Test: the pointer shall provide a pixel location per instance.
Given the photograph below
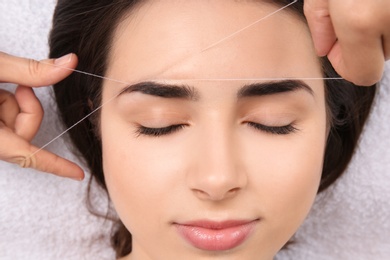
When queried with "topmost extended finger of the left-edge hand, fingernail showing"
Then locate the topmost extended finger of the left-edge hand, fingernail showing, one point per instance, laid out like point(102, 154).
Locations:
point(33, 73)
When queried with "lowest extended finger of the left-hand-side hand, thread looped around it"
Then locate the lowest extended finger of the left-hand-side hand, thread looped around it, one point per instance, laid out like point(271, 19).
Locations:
point(15, 149)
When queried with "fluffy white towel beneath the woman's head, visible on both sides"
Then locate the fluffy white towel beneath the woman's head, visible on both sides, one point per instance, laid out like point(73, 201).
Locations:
point(45, 217)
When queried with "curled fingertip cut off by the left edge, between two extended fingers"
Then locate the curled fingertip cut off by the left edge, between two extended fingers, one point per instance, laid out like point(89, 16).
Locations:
point(9, 108)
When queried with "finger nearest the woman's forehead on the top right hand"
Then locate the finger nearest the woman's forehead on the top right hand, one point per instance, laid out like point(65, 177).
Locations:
point(320, 24)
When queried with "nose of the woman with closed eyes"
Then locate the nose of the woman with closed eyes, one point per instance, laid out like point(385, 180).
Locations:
point(217, 174)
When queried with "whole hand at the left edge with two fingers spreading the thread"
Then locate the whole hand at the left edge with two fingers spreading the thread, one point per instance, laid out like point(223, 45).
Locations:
point(21, 114)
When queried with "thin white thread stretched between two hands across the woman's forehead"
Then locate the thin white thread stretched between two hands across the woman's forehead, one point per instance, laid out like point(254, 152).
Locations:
point(199, 79)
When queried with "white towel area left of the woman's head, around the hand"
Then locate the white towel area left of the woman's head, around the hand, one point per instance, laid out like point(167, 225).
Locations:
point(43, 216)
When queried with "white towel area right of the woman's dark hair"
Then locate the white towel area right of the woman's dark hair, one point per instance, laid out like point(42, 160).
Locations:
point(351, 219)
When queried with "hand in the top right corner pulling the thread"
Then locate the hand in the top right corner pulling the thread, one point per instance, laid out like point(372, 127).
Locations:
point(354, 34)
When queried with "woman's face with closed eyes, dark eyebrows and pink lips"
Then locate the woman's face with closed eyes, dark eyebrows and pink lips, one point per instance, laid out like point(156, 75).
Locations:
point(212, 169)
